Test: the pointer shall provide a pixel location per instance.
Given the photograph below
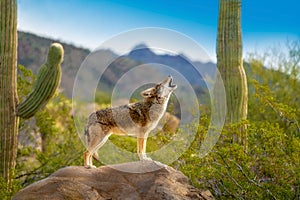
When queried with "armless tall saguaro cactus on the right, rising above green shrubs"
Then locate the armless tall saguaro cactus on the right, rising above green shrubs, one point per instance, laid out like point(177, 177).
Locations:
point(229, 60)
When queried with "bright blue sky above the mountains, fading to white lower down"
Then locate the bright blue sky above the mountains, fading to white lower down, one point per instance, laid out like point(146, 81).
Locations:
point(89, 23)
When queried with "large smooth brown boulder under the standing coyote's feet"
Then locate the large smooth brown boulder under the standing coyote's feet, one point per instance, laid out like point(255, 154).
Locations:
point(109, 182)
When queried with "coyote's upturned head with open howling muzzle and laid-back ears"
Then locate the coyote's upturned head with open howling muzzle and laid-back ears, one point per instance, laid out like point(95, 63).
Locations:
point(161, 92)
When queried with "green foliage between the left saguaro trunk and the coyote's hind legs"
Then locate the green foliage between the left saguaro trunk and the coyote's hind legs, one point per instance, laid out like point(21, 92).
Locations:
point(60, 145)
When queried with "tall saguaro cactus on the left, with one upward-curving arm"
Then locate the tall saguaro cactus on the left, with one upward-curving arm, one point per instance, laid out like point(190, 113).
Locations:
point(44, 88)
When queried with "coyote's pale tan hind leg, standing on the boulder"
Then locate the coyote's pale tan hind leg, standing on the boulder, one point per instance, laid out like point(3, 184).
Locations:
point(96, 138)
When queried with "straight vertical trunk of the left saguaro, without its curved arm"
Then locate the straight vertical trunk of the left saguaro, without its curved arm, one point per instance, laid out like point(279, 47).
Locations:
point(8, 87)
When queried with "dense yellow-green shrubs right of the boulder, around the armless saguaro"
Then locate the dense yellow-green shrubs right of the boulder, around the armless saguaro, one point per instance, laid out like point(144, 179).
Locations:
point(269, 167)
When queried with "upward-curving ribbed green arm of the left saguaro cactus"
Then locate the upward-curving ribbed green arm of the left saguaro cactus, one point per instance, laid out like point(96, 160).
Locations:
point(46, 84)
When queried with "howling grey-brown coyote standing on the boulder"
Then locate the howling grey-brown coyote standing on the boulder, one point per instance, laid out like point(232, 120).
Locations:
point(134, 119)
